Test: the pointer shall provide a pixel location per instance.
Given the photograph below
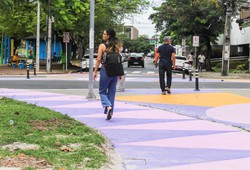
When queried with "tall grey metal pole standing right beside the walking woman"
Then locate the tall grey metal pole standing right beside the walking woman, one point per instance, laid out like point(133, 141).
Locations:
point(91, 94)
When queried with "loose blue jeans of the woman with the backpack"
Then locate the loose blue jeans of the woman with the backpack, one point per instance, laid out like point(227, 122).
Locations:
point(107, 88)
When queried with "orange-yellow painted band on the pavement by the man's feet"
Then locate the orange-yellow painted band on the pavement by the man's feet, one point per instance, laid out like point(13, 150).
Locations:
point(194, 99)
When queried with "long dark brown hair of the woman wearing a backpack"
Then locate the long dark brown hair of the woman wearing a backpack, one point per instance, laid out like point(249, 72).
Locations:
point(113, 43)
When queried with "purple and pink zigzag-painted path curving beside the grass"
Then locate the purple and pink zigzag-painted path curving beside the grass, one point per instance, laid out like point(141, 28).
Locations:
point(150, 138)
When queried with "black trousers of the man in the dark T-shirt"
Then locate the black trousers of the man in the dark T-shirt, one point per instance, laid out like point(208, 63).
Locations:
point(165, 68)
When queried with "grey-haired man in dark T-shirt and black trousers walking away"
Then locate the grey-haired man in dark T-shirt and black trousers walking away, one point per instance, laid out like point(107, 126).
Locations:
point(166, 54)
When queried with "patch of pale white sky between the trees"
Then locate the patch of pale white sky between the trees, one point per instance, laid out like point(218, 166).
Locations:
point(141, 21)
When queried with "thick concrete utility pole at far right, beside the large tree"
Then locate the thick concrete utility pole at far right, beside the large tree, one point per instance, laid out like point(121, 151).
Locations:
point(226, 44)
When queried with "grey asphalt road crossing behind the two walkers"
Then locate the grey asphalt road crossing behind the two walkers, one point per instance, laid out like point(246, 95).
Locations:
point(137, 78)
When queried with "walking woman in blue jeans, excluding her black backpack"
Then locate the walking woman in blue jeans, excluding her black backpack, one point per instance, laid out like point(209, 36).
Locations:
point(107, 85)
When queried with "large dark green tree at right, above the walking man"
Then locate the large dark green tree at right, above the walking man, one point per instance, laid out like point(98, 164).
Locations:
point(186, 18)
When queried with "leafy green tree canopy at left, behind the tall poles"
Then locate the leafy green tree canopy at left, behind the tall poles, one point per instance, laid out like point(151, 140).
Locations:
point(70, 15)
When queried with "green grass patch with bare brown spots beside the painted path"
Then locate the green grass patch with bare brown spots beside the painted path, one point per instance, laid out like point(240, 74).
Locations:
point(62, 141)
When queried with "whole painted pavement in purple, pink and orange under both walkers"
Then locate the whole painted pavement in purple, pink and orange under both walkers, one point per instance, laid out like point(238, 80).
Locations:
point(151, 131)
